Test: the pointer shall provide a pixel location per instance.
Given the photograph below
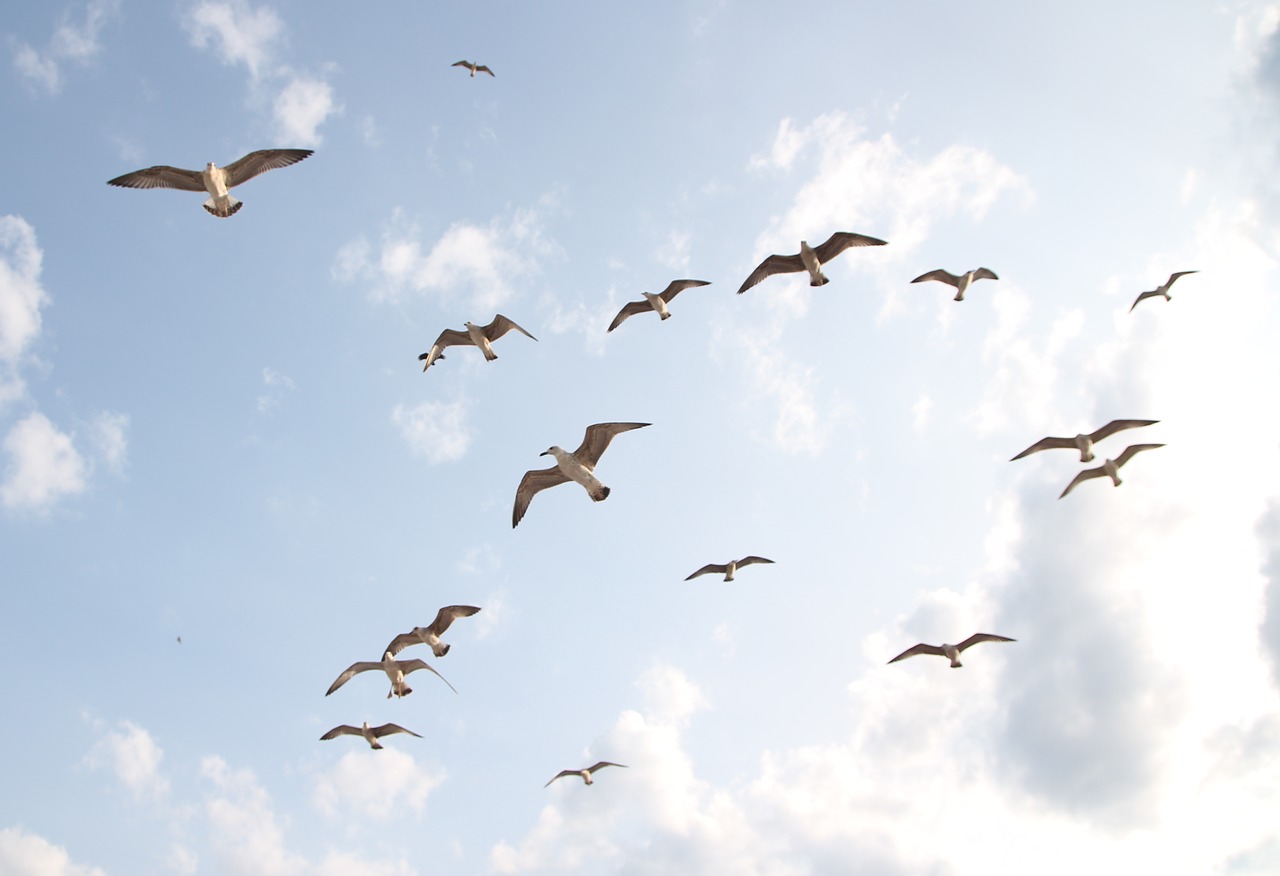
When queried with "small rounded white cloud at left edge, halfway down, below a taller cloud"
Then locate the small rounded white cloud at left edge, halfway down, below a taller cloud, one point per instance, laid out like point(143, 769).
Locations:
point(44, 466)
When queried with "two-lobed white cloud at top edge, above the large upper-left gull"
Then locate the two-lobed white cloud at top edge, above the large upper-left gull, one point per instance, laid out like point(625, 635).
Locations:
point(253, 36)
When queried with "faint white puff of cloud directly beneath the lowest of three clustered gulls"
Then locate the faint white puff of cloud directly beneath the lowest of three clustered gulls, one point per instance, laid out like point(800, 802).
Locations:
point(374, 784)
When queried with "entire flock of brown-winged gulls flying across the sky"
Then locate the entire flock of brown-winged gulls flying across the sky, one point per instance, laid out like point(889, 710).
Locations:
point(579, 467)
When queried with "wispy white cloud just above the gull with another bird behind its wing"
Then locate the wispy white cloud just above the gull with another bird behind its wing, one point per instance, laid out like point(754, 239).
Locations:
point(478, 266)
